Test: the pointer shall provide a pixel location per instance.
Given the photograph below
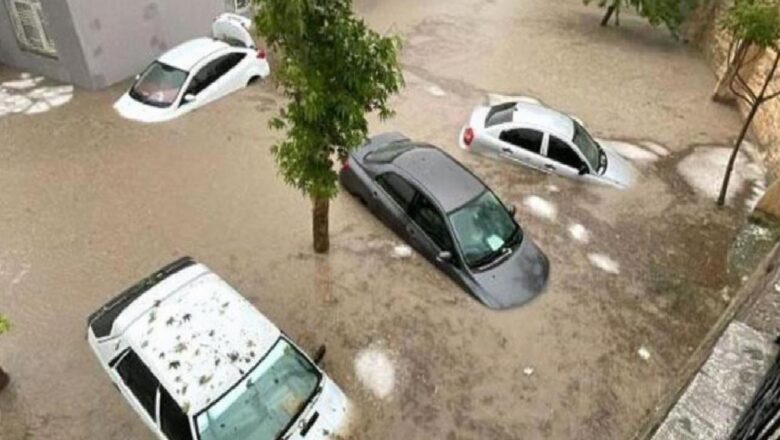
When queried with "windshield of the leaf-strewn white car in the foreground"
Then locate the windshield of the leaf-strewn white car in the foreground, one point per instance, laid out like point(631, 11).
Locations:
point(266, 402)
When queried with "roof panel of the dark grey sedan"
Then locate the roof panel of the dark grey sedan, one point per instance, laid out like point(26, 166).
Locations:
point(440, 175)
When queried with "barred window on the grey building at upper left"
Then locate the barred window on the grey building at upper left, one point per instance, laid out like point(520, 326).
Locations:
point(31, 26)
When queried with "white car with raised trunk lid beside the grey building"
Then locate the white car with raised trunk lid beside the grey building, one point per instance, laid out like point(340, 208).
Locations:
point(195, 73)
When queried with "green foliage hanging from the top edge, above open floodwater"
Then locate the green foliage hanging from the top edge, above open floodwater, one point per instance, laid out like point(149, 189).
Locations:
point(670, 13)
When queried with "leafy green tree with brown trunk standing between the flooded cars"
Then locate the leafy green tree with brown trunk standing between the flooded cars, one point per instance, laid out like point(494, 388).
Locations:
point(333, 69)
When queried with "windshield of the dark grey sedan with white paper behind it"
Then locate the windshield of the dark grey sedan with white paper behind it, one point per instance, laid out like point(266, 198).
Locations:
point(484, 228)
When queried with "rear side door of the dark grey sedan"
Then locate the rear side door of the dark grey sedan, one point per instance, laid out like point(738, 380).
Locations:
point(390, 200)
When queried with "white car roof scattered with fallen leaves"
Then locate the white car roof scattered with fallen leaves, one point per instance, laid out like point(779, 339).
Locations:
point(201, 340)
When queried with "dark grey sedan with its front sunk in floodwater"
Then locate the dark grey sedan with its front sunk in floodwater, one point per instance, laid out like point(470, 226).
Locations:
point(449, 216)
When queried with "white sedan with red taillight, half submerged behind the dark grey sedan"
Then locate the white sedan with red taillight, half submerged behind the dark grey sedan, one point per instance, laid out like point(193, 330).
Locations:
point(544, 139)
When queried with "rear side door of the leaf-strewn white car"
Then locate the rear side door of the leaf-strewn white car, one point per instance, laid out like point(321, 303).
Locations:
point(140, 387)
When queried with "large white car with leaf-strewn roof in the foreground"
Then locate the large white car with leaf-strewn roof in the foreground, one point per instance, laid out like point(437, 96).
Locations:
point(198, 362)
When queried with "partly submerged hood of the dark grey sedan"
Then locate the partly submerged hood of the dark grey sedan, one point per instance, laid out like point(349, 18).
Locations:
point(516, 280)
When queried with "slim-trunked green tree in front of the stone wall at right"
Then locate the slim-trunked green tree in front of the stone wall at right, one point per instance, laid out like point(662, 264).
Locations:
point(751, 24)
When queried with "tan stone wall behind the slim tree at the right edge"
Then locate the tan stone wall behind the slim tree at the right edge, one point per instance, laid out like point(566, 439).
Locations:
point(704, 30)
